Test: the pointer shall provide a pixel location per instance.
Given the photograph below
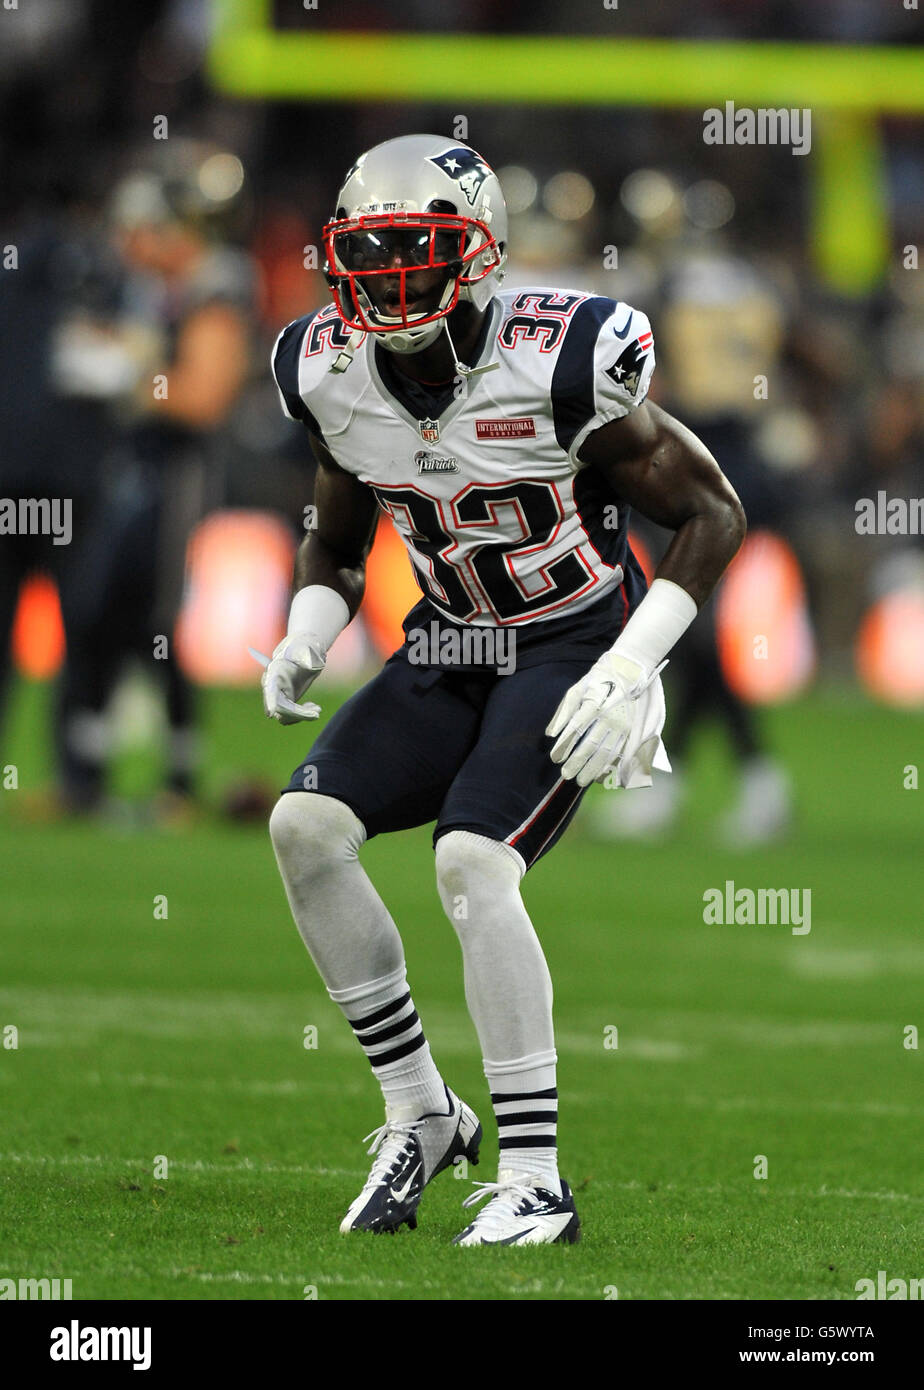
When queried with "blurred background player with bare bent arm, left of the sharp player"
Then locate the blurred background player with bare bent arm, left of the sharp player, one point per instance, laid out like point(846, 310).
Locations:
point(188, 313)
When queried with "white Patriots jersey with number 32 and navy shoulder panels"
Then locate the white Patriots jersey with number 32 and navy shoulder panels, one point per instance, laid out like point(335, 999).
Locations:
point(502, 522)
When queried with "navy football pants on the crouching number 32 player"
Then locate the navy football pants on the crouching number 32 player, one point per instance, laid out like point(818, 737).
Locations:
point(468, 751)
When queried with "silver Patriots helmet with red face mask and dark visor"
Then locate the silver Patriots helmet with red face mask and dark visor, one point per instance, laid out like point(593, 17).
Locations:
point(420, 226)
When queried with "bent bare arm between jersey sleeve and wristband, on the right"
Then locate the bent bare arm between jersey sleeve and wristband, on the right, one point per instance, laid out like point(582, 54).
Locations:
point(661, 469)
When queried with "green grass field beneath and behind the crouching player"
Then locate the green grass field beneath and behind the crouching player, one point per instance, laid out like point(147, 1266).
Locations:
point(184, 1038)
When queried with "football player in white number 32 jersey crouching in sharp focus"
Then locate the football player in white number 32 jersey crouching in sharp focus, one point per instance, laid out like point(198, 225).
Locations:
point(506, 436)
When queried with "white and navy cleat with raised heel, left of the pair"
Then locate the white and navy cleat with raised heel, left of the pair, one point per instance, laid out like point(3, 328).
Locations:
point(408, 1156)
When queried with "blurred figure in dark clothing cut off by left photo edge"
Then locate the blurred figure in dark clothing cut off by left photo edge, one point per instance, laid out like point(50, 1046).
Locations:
point(62, 366)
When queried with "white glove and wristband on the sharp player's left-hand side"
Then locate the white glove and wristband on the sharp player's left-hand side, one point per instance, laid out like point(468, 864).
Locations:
point(316, 619)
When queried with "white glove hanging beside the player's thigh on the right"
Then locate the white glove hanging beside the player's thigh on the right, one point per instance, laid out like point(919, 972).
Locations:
point(597, 719)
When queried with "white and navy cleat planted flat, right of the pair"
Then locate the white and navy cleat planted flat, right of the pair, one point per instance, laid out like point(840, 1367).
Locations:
point(522, 1213)
